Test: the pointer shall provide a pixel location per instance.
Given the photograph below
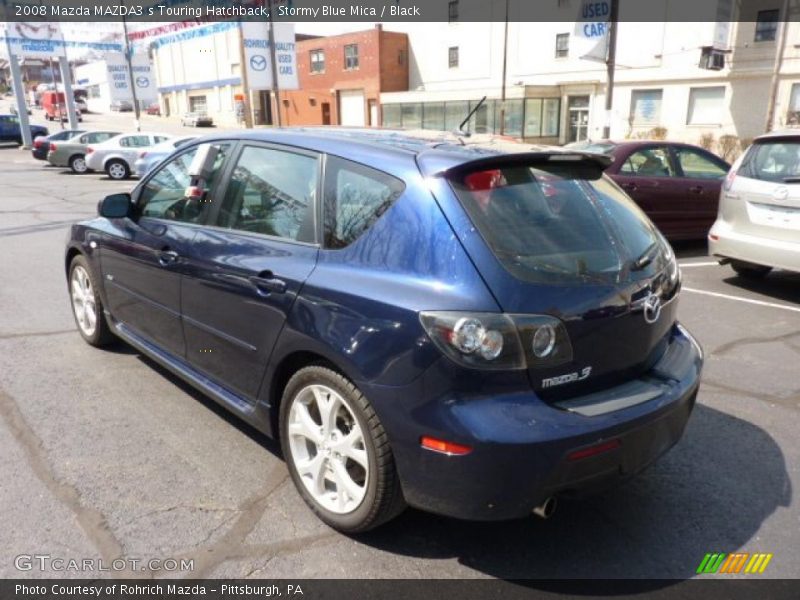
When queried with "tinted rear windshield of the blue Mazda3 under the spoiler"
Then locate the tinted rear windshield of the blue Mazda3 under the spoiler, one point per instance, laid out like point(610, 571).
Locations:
point(557, 223)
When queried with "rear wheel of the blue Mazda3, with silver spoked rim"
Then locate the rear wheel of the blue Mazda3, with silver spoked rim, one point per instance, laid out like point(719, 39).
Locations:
point(370, 495)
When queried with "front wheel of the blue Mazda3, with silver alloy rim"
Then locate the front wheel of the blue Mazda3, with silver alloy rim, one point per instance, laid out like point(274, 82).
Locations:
point(85, 298)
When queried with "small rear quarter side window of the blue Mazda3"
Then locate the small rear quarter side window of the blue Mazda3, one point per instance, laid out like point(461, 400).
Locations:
point(355, 197)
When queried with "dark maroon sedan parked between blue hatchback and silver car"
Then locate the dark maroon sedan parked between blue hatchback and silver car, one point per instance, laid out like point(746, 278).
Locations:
point(677, 185)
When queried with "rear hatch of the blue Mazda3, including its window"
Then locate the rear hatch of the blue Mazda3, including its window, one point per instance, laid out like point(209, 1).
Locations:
point(553, 236)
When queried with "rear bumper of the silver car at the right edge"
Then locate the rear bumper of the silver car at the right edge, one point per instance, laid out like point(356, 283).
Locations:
point(759, 250)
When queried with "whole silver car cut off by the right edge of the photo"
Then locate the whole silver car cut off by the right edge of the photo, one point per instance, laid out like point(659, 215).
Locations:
point(759, 211)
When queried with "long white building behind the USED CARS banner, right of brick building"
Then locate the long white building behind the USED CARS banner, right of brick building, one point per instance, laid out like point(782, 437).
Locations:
point(553, 96)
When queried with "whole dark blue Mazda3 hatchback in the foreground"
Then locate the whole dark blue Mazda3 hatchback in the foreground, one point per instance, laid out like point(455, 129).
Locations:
point(462, 328)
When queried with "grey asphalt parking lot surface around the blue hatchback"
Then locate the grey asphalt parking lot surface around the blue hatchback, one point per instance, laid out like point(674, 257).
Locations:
point(105, 455)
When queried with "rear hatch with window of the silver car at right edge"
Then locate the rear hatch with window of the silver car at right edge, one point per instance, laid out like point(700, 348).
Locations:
point(764, 194)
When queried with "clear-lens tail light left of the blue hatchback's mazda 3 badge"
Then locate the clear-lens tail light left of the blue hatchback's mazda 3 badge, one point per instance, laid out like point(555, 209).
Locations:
point(498, 341)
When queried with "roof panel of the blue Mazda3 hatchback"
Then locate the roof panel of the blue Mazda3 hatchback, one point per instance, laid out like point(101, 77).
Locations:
point(438, 150)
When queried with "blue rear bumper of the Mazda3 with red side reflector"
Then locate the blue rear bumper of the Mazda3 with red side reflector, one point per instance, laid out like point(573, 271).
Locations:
point(521, 446)
